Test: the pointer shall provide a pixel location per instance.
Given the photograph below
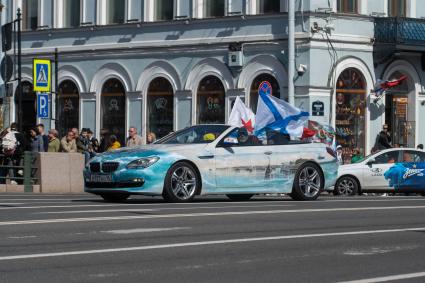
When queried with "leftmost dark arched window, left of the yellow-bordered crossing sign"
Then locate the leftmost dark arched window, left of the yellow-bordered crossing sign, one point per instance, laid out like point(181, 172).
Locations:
point(28, 119)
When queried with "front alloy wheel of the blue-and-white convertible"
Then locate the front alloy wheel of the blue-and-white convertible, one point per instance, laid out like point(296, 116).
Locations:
point(181, 183)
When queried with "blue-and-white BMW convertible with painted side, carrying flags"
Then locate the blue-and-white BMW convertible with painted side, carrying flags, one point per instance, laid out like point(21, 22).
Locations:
point(213, 159)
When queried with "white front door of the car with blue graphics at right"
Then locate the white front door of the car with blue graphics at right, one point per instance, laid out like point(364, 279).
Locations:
point(373, 173)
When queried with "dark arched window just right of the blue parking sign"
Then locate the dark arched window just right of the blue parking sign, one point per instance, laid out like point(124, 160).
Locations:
point(67, 107)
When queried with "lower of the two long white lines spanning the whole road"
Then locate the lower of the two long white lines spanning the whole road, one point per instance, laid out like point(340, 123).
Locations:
point(206, 243)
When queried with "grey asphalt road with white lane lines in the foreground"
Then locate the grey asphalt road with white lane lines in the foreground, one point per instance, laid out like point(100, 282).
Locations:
point(79, 238)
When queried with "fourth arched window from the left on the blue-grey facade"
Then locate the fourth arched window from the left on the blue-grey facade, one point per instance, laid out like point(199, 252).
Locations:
point(160, 107)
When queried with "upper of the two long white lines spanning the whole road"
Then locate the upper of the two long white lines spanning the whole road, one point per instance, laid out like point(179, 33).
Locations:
point(200, 214)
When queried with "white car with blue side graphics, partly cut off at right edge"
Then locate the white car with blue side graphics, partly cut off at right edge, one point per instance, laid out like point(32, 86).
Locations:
point(399, 170)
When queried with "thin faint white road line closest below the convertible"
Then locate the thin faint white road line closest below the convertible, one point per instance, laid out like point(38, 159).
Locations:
point(157, 209)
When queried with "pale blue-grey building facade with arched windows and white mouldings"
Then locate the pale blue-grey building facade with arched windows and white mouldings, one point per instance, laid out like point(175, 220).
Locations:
point(166, 64)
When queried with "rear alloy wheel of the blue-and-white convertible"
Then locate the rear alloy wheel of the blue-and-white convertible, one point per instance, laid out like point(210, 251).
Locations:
point(308, 183)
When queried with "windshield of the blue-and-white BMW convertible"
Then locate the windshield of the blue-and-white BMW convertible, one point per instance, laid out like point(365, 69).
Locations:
point(194, 135)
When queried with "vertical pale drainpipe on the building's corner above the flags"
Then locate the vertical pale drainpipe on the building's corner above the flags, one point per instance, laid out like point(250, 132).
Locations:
point(291, 51)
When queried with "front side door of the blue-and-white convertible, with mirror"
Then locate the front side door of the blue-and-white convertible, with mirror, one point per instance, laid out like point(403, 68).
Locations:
point(240, 165)
